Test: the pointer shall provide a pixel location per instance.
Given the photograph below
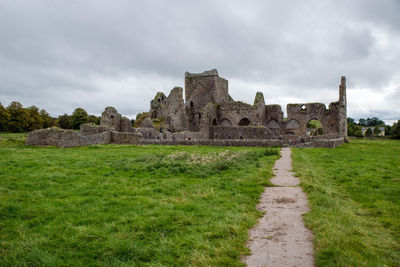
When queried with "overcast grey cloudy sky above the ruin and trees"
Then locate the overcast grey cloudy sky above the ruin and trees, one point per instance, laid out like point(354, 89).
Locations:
point(59, 55)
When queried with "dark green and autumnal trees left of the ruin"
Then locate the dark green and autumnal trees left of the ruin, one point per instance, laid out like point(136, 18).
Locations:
point(15, 118)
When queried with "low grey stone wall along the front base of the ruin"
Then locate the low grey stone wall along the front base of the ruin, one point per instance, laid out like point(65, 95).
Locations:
point(70, 138)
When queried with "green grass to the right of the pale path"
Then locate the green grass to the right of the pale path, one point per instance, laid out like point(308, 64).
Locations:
point(354, 193)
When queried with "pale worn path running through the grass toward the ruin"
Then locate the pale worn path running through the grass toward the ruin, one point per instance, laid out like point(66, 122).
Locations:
point(280, 237)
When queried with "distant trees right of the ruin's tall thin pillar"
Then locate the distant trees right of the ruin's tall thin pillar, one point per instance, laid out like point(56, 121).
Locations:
point(355, 129)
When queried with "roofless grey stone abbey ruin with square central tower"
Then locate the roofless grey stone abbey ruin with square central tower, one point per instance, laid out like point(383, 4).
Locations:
point(207, 115)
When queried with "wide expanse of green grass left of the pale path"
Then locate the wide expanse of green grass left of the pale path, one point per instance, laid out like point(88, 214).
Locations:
point(114, 205)
